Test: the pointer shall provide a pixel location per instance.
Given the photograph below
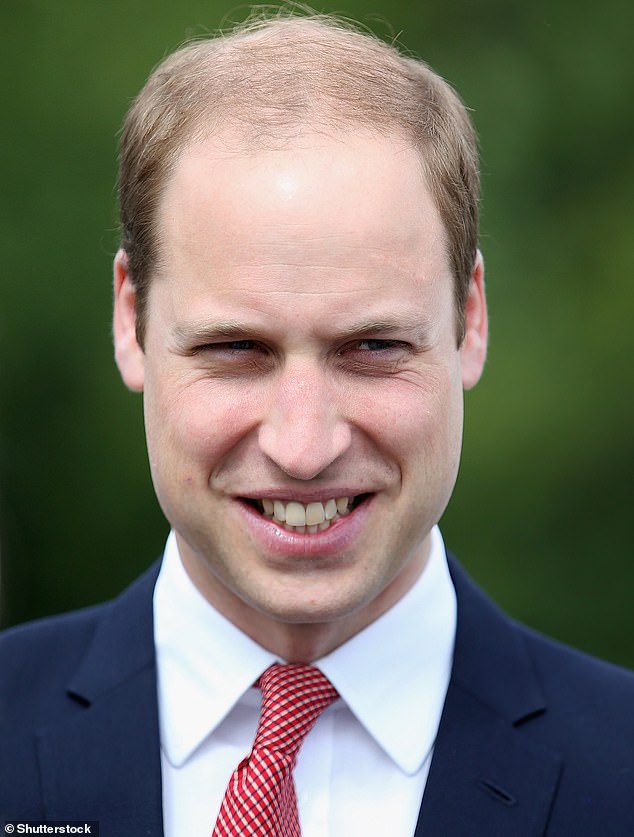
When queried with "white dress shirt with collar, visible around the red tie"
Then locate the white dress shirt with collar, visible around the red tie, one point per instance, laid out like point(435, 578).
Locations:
point(362, 769)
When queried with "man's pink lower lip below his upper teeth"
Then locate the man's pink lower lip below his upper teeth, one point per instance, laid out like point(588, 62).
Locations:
point(329, 543)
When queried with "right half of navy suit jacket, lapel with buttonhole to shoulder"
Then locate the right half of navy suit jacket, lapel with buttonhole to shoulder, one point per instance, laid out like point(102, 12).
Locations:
point(524, 699)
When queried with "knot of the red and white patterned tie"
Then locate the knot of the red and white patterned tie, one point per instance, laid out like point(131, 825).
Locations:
point(293, 697)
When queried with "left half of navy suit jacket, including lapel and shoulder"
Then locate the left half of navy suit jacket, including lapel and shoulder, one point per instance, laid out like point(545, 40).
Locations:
point(77, 692)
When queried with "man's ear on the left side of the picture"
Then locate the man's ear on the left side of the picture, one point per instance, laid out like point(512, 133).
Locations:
point(128, 354)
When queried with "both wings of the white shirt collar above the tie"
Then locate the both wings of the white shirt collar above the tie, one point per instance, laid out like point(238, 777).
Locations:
point(205, 664)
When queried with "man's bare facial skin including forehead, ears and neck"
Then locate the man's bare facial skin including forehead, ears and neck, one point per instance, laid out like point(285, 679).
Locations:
point(301, 346)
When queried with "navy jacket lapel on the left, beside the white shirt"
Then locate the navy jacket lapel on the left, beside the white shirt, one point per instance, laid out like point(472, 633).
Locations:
point(107, 752)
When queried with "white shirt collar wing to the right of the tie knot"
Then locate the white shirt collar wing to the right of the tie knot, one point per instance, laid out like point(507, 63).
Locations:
point(394, 674)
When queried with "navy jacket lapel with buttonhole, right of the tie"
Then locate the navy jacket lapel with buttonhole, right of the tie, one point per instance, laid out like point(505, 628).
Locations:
point(486, 776)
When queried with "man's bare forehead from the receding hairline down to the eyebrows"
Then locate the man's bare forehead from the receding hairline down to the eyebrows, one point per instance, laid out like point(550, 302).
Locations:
point(348, 214)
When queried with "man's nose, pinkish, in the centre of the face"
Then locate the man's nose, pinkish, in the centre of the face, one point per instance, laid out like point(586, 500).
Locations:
point(303, 430)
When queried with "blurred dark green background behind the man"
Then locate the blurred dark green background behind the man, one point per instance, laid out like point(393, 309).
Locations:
point(543, 512)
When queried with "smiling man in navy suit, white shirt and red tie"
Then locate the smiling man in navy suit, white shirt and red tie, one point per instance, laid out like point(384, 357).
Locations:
point(300, 298)
